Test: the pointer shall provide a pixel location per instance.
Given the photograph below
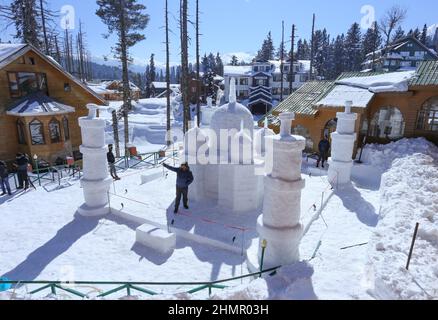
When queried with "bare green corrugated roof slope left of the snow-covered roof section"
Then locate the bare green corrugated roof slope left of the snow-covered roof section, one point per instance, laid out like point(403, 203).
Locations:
point(303, 100)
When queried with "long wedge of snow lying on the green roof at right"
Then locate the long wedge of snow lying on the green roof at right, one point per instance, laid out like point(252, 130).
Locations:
point(388, 82)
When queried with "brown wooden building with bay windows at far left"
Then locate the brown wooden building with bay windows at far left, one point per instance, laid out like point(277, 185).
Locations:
point(40, 104)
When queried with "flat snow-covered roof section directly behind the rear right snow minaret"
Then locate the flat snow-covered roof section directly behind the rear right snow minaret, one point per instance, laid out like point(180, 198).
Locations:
point(341, 93)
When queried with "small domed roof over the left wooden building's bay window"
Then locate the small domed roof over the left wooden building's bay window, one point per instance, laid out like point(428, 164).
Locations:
point(38, 104)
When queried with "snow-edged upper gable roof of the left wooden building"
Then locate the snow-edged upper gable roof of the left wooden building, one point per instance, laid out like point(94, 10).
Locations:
point(11, 52)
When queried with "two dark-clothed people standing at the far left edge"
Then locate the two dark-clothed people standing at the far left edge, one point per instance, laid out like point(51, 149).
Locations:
point(21, 165)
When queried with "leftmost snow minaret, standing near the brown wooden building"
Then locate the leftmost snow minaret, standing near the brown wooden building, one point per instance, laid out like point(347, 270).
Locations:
point(95, 181)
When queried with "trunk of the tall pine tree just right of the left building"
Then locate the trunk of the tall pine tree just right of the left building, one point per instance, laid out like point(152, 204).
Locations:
point(125, 76)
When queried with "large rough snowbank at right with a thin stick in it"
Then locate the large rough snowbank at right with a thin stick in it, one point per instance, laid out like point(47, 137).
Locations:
point(408, 195)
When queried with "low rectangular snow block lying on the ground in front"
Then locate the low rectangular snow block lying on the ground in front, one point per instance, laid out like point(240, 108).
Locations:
point(156, 238)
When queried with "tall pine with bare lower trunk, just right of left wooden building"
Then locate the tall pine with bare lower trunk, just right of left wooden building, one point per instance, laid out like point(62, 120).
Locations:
point(124, 18)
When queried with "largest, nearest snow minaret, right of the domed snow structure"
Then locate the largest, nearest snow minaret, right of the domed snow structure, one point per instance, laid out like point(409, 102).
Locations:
point(280, 224)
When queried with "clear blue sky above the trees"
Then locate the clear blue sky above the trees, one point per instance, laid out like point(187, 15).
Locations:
point(239, 26)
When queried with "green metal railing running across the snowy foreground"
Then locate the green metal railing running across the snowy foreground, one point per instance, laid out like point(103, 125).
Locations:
point(54, 286)
